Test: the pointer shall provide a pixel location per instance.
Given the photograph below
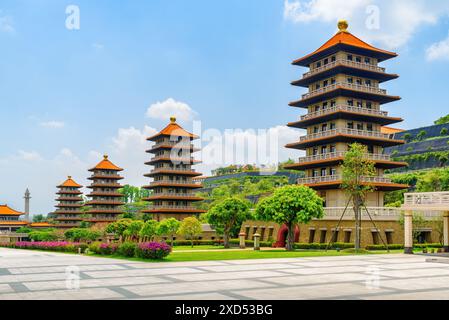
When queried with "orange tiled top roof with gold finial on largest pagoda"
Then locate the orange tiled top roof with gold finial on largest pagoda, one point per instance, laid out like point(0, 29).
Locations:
point(345, 37)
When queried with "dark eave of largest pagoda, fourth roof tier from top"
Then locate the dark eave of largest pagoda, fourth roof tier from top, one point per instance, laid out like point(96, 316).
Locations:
point(382, 120)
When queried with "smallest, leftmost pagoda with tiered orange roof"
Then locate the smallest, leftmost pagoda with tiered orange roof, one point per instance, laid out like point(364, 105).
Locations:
point(70, 202)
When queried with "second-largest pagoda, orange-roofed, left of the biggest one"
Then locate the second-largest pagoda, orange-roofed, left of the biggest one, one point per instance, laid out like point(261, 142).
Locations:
point(173, 186)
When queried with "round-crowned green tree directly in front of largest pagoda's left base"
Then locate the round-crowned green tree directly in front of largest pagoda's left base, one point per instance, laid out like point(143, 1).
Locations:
point(291, 205)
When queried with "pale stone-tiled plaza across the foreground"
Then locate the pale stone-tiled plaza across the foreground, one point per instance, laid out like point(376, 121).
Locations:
point(41, 275)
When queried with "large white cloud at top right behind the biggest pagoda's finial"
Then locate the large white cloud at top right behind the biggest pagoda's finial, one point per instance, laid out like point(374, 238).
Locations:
point(398, 20)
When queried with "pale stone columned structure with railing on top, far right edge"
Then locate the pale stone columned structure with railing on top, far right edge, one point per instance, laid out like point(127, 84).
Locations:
point(431, 204)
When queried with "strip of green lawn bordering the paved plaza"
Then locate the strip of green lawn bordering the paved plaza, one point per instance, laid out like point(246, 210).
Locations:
point(241, 255)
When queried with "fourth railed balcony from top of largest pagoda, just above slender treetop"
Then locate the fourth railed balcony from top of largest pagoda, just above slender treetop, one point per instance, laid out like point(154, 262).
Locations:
point(346, 135)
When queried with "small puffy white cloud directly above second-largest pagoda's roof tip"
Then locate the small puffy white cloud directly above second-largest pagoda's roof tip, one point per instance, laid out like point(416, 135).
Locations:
point(170, 107)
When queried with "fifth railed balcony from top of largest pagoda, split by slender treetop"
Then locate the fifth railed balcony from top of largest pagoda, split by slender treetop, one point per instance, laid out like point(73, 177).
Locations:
point(331, 158)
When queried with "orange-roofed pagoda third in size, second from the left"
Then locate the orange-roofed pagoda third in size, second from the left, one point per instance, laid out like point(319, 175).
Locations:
point(106, 202)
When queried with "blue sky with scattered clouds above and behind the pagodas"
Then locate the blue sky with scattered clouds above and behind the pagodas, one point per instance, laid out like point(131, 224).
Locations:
point(68, 96)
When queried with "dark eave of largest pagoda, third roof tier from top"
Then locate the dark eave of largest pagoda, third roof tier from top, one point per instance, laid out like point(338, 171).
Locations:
point(346, 92)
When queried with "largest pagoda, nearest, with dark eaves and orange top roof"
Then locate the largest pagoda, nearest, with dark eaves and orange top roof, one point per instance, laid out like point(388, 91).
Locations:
point(343, 106)
